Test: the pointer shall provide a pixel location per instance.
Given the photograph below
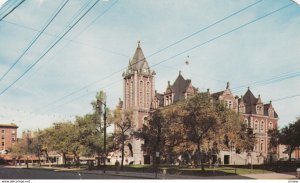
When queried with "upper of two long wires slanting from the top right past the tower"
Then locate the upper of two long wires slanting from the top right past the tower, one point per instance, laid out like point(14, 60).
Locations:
point(118, 71)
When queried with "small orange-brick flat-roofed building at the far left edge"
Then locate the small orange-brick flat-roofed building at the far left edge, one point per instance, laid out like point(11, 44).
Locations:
point(8, 134)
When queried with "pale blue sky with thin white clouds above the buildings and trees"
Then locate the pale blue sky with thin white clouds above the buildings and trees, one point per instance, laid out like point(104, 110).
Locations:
point(263, 55)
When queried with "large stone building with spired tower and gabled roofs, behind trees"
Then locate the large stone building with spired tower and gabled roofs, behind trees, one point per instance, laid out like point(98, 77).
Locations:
point(140, 95)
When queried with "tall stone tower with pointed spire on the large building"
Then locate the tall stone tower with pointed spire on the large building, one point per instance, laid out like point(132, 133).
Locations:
point(138, 94)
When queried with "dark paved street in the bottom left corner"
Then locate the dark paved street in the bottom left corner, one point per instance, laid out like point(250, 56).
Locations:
point(21, 173)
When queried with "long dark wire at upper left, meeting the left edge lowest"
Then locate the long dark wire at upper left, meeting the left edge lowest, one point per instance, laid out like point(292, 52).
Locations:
point(55, 42)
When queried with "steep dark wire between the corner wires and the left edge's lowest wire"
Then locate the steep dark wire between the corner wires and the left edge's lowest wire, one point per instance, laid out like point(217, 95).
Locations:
point(61, 6)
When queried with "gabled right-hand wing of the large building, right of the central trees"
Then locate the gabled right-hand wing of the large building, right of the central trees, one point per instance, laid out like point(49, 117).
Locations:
point(259, 116)
